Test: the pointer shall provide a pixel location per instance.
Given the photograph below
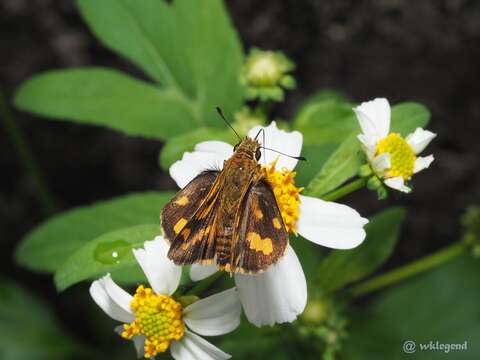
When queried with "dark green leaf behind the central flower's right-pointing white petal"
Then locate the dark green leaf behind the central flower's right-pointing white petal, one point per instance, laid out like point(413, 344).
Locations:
point(342, 267)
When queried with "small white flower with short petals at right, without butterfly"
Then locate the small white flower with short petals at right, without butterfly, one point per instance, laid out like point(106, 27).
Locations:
point(392, 158)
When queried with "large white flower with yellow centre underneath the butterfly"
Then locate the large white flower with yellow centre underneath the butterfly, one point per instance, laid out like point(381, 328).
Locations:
point(279, 294)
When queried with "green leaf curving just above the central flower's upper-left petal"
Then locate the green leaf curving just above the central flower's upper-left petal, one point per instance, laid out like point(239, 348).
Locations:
point(176, 146)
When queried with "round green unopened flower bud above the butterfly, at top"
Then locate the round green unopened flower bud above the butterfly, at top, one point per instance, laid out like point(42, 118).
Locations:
point(266, 75)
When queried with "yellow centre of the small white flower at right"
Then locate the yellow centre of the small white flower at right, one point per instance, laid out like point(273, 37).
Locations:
point(402, 156)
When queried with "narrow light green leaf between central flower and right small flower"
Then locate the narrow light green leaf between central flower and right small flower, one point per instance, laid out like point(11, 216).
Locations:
point(340, 166)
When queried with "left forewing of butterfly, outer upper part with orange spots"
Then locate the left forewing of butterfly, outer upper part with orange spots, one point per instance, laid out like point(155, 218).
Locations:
point(178, 211)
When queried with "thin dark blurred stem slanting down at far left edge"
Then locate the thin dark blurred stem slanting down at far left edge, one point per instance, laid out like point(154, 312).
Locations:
point(25, 155)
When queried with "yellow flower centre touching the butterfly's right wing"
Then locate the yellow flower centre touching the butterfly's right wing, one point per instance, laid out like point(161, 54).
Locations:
point(286, 194)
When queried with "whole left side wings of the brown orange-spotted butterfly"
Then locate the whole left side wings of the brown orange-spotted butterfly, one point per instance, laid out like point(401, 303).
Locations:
point(188, 220)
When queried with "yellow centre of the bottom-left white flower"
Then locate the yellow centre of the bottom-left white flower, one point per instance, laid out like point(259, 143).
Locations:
point(158, 318)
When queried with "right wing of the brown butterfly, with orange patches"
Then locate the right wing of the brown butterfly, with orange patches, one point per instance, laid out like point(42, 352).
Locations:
point(260, 236)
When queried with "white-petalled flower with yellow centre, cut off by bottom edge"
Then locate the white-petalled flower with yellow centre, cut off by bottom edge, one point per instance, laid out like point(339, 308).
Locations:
point(156, 321)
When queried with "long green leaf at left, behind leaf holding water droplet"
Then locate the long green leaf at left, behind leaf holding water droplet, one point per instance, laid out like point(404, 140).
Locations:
point(50, 244)
